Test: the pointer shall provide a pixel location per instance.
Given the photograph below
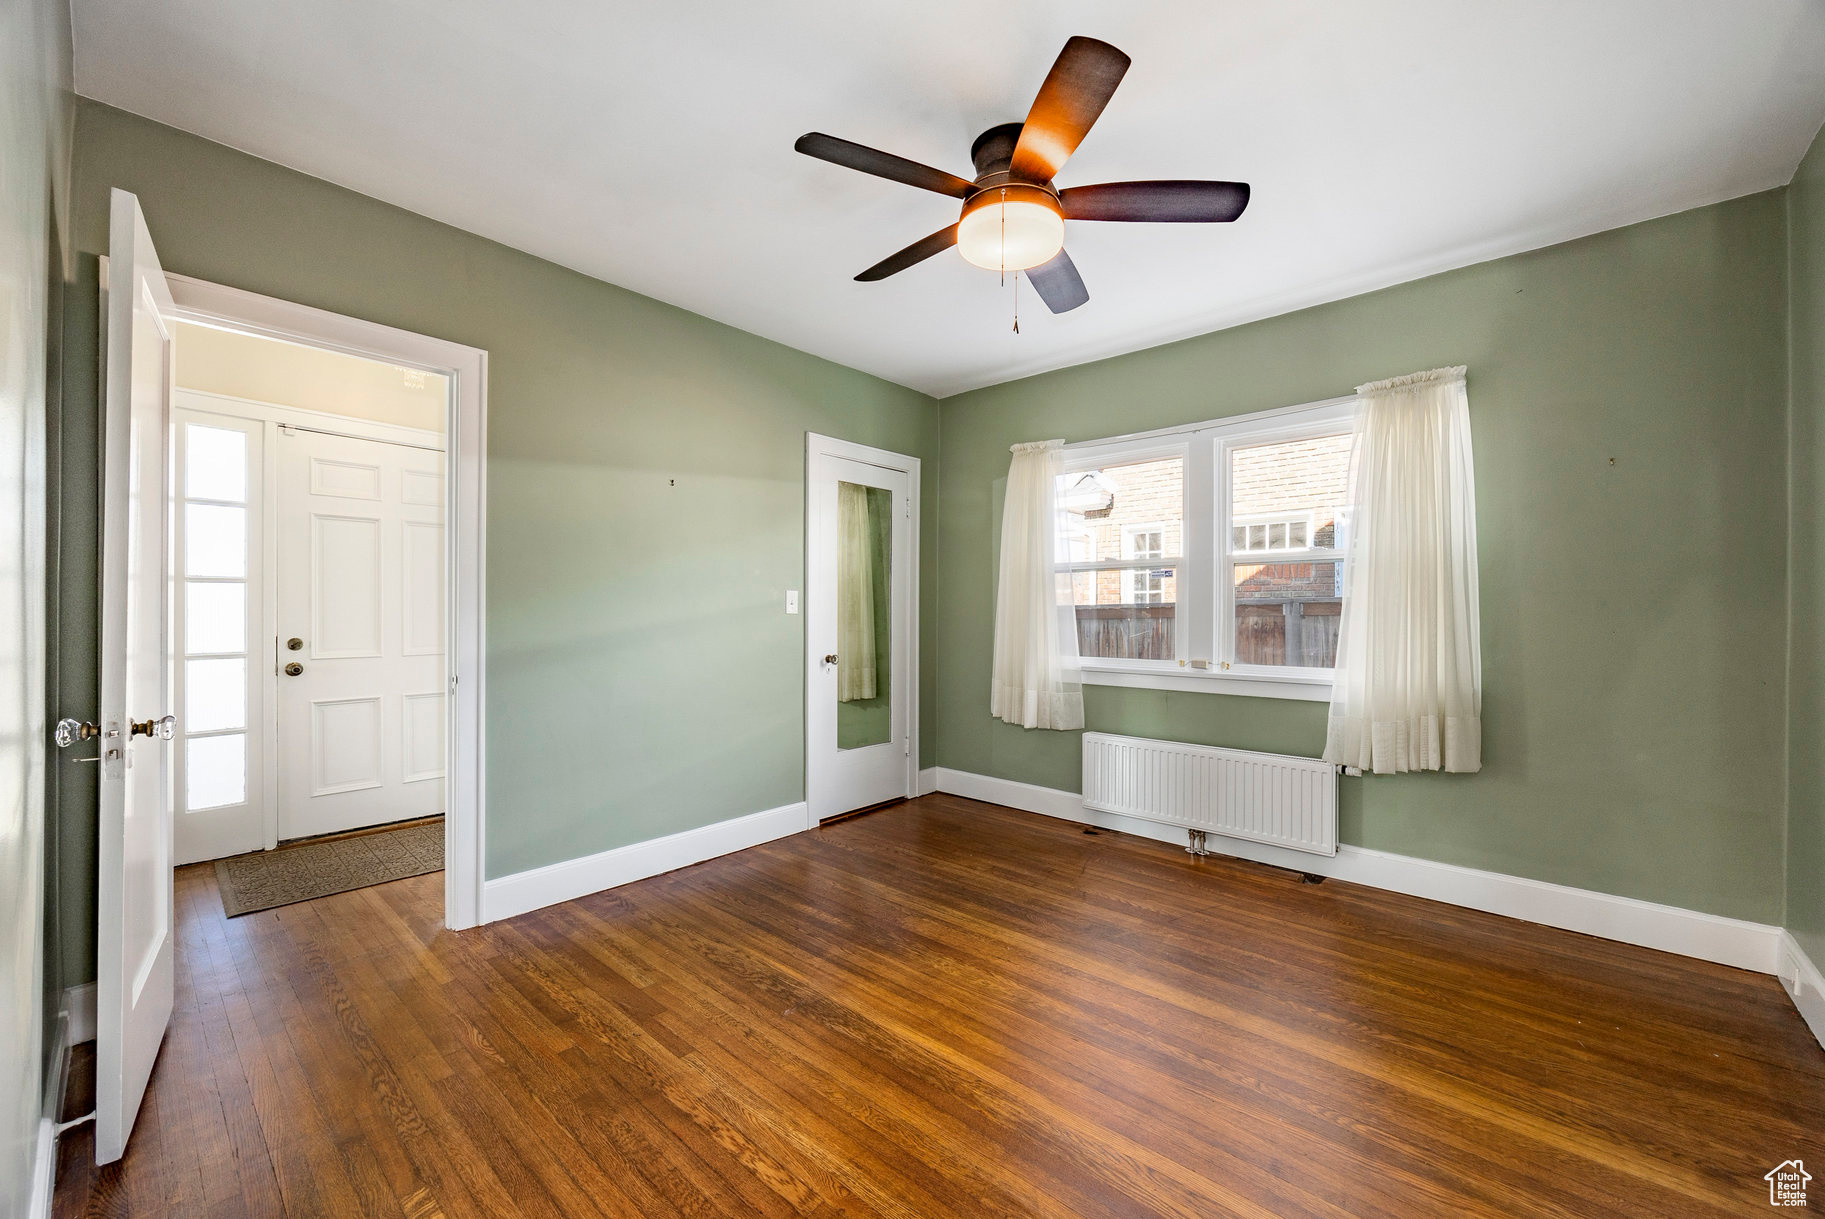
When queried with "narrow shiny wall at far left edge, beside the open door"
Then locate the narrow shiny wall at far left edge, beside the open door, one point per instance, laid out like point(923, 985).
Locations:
point(34, 242)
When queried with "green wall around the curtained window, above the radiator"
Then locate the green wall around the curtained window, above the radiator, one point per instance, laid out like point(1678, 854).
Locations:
point(1634, 614)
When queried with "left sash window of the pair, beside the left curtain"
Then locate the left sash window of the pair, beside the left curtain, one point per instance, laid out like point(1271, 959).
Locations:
point(1123, 537)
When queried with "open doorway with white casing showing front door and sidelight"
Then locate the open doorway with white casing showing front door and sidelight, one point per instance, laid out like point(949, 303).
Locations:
point(335, 683)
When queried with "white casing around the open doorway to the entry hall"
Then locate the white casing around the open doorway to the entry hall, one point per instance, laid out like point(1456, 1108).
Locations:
point(466, 510)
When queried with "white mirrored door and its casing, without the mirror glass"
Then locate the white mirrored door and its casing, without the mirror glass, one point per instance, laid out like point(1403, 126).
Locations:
point(839, 780)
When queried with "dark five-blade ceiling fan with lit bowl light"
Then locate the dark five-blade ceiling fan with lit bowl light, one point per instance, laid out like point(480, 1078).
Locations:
point(1014, 214)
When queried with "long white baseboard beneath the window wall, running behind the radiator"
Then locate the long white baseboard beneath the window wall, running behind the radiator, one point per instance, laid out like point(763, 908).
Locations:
point(1629, 921)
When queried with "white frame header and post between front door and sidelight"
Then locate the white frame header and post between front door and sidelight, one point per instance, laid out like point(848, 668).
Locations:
point(275, 417)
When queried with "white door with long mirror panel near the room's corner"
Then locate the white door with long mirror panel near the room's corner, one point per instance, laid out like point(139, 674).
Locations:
point(859, 621)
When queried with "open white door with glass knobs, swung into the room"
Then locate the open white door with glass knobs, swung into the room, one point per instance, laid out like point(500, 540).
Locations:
point(134, 935)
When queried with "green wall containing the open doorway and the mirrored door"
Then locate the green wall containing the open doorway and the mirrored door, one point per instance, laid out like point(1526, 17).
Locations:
point(645, 497)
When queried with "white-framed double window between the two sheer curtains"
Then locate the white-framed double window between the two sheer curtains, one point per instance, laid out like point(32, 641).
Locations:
point(1213, 557)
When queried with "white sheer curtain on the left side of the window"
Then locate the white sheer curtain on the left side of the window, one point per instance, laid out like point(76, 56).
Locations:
point(1036, 676)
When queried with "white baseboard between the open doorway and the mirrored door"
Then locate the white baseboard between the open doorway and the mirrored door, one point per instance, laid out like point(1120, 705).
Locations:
point(576, 879)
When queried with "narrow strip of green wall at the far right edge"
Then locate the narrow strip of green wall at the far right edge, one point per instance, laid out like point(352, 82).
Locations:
point(1806, 716)
